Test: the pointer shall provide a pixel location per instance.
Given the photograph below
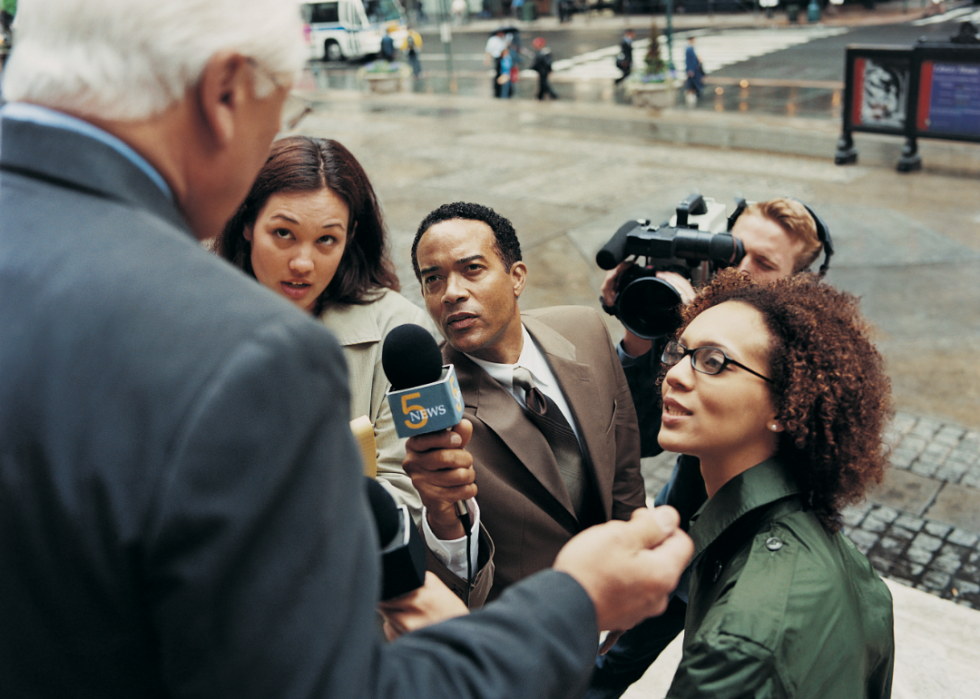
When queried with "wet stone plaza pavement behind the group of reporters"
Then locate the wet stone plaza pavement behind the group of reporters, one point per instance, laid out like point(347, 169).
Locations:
point(568, 175)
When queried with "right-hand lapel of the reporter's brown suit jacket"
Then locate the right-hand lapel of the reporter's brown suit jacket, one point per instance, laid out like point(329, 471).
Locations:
point(587, 405)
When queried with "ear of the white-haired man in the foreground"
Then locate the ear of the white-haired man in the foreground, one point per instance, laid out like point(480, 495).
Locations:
point(224, 87)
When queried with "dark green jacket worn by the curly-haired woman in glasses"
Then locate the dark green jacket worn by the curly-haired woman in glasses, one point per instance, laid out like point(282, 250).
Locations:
point(778, 606)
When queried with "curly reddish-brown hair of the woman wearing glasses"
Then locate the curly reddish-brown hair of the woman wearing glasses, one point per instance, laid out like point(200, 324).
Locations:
point(828, 384)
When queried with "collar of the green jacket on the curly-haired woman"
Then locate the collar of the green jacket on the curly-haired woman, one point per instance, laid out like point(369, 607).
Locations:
point(761, 485)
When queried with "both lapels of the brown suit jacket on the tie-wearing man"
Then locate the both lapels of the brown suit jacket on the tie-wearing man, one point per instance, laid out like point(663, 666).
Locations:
point(496, 408)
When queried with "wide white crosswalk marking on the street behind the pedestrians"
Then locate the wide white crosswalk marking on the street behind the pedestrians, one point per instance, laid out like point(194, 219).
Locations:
point(716, 50)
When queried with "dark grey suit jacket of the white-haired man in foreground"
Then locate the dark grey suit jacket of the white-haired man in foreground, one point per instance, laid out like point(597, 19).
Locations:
point(182, 511)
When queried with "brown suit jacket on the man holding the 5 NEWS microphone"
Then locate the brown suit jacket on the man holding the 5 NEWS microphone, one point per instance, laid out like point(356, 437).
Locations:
point(523, 501)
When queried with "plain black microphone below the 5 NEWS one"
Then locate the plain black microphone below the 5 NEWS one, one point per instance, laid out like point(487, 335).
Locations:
point(402, 549)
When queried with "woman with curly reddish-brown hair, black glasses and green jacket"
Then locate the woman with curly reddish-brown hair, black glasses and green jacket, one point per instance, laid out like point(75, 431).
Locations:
point(781, 394)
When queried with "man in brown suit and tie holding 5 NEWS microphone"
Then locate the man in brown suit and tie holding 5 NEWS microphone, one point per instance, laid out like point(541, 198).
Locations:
point(468, 261)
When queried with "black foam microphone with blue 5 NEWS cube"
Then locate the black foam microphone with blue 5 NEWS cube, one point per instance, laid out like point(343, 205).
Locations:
point(425, 395)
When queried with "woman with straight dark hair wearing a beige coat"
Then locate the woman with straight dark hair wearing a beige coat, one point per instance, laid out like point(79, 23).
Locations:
point(311, 230)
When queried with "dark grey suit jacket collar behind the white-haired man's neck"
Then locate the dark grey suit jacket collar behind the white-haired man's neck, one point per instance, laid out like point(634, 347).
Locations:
point(74, 160)
